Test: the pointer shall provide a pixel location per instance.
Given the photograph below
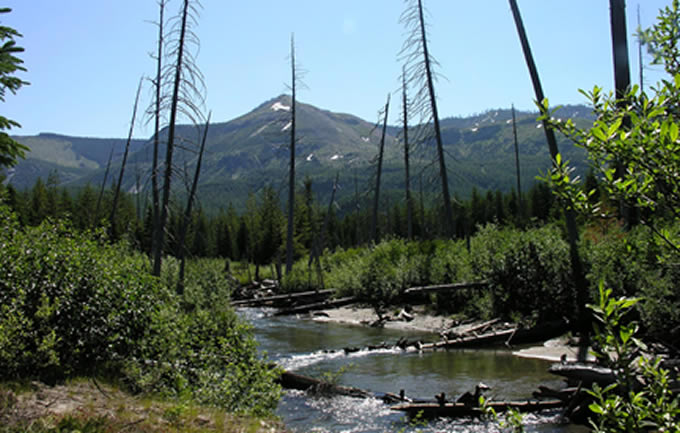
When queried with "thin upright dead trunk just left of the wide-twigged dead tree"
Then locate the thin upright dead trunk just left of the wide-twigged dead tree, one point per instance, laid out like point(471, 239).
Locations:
point(156, 136)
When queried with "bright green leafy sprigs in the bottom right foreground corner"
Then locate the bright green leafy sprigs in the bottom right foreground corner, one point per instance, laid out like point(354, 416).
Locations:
point(625, 406)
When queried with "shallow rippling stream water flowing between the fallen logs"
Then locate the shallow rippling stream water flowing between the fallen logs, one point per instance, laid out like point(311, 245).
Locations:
point(302, 346)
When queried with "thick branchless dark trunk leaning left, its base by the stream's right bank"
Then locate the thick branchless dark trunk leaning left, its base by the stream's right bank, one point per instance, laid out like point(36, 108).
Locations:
point(572, 231)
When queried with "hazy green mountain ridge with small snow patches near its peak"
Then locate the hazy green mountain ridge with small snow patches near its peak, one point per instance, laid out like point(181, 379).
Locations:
point(249, 152)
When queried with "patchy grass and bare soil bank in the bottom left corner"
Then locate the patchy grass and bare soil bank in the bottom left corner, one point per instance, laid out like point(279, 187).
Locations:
point(88, 405)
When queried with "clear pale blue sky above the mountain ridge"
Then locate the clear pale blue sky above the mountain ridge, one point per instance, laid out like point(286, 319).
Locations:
point(85, 57)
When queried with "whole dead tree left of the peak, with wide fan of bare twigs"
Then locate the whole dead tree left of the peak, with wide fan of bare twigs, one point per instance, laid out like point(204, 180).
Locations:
point(185, 83)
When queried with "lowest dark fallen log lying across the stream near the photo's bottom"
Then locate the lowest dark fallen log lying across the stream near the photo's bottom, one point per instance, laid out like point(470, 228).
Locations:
point(455, 410)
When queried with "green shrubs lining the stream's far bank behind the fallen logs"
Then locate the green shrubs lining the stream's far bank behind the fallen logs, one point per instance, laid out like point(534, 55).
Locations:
point(528, 272)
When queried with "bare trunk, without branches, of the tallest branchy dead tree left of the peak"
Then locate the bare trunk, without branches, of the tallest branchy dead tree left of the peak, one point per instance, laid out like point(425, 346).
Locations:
point(160, 232)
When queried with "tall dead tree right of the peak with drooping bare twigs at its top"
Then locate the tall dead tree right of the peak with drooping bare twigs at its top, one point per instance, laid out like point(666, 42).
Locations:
point(419, 72)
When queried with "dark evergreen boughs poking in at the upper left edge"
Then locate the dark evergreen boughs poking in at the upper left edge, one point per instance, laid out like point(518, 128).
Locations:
point(10, 64)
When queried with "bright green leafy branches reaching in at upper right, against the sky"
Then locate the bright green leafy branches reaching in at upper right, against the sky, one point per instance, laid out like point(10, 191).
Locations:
point(633, 144)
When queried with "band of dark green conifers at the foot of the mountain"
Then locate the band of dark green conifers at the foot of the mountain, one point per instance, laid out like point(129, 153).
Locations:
point(257, 233)
